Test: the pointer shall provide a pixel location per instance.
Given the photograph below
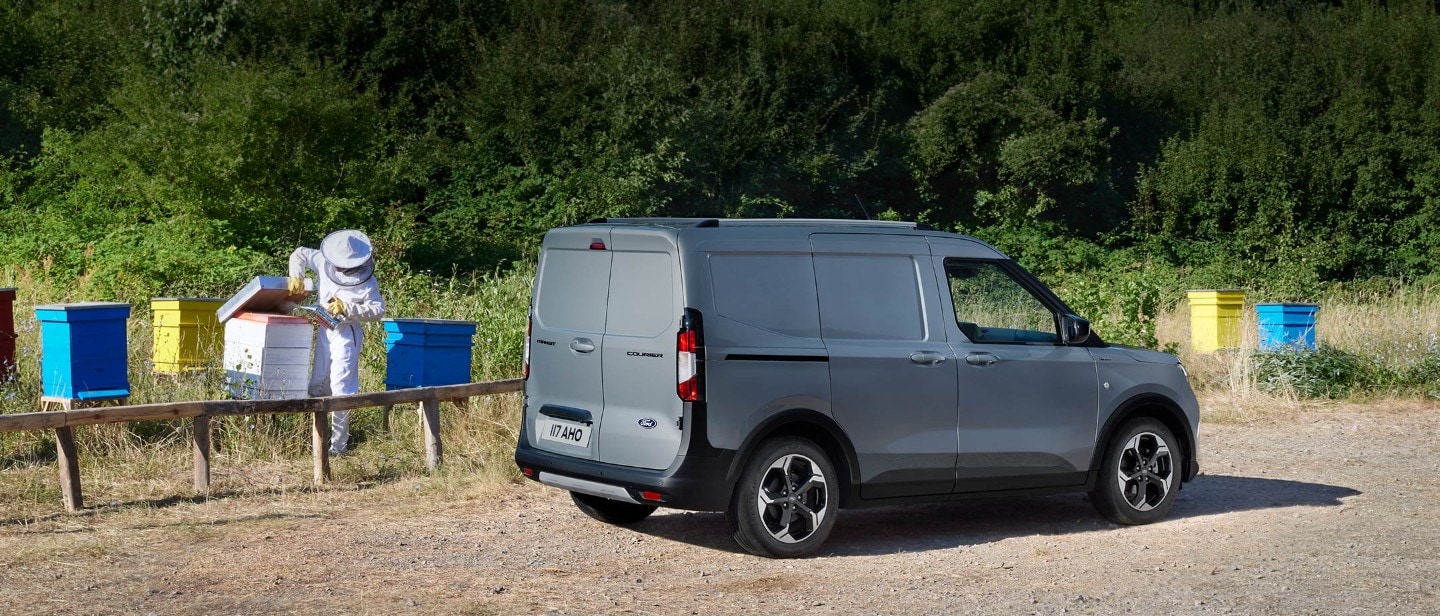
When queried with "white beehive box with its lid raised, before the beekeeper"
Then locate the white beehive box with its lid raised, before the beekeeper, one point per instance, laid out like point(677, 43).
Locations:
point(267, 356)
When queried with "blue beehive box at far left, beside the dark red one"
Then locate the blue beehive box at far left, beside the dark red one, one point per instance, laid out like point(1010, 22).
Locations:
point(84, 353)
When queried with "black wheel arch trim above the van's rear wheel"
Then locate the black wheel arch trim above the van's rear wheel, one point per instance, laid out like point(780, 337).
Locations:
point(814, 427)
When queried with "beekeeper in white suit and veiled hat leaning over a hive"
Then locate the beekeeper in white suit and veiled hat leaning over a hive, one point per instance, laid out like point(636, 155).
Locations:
point(345, 270)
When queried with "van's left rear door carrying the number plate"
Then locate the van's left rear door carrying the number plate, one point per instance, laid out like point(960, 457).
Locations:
point(565, 395)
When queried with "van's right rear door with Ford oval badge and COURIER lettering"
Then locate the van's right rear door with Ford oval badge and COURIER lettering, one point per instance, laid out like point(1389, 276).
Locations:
point(643, 411)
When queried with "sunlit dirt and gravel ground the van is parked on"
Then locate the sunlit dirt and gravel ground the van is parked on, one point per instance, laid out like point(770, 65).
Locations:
point(1331, 513)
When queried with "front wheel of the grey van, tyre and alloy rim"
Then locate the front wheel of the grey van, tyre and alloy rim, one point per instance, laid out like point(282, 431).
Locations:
point(1140, 474)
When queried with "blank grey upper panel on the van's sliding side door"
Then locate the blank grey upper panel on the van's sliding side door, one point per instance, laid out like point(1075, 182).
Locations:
point(873, 297)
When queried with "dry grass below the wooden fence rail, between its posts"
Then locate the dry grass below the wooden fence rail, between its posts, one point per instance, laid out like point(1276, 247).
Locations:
point(479, 447)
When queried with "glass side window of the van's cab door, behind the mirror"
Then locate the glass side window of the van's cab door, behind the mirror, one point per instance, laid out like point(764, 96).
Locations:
point(993, 307)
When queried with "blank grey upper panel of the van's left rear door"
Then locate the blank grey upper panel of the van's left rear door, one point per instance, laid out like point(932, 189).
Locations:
point(574, 290)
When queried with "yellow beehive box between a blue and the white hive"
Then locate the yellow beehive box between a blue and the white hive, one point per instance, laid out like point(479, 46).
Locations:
point(188, 333)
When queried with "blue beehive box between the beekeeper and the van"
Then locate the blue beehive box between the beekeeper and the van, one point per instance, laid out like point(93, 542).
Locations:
point(427, 352)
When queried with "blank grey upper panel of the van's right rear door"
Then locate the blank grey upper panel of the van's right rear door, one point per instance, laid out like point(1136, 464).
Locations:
point(643, 294)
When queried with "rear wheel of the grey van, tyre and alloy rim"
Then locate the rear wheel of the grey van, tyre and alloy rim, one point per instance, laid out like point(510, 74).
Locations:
point(787, 500)
